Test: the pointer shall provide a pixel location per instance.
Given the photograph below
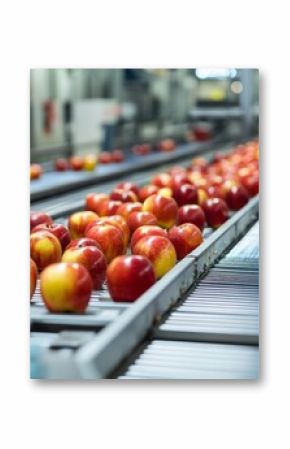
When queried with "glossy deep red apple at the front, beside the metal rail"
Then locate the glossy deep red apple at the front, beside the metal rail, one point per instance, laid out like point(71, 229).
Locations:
point(128, 277)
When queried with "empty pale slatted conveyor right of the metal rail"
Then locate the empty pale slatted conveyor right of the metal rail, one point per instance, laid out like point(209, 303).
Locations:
point(223, 307)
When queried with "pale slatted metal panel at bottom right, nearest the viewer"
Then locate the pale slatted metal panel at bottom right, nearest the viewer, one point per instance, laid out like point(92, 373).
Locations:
point(193, 360)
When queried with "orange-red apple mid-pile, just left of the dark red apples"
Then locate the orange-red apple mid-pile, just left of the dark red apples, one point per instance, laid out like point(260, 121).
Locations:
point(165, 209)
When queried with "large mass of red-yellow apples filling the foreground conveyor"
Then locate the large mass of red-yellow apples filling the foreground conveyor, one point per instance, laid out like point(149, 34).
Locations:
point(161, 223)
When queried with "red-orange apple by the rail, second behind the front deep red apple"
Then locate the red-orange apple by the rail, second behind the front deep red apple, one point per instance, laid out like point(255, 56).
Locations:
point(185, 238)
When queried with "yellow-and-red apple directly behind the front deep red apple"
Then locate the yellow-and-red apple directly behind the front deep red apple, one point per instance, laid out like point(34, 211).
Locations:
point(159, 250)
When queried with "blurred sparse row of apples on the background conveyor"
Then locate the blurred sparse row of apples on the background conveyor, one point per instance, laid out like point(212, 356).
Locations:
point(90, 161)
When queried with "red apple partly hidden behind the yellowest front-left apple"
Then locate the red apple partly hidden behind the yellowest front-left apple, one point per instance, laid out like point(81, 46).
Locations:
point(92, 258)
